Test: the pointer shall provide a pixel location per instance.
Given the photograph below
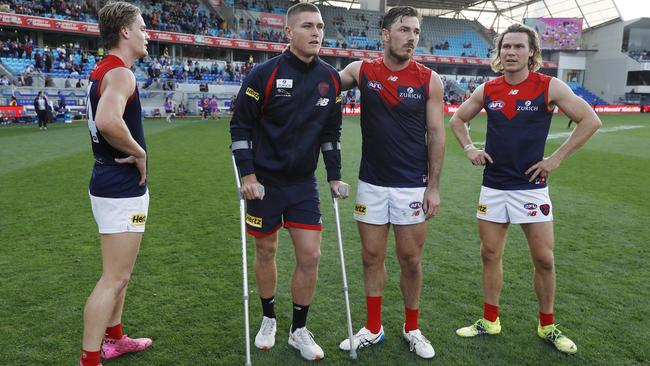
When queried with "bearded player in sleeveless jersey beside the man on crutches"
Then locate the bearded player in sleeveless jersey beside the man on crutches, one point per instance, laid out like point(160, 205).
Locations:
point(402, 155)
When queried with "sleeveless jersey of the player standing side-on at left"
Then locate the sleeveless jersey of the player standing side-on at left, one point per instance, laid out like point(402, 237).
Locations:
point(110, 179)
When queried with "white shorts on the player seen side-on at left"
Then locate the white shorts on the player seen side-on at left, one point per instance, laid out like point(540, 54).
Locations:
point(120, 215)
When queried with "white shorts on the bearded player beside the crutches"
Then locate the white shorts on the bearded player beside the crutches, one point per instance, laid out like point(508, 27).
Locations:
point(380, 205)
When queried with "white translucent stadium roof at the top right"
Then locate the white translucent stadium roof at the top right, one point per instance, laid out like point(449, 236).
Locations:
point(499, 14)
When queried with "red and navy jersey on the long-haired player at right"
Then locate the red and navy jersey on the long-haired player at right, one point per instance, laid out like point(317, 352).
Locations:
point(518, 121)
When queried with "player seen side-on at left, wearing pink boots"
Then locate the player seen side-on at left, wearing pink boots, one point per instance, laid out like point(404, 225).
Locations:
point(118, 188)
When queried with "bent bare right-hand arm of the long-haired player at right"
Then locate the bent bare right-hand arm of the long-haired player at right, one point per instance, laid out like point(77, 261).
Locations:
point(581, 113)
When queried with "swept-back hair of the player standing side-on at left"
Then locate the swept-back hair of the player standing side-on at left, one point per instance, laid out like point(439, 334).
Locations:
point(114, 16)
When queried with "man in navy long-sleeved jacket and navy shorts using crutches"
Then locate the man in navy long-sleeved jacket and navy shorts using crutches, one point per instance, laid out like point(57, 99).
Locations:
point(288, 109)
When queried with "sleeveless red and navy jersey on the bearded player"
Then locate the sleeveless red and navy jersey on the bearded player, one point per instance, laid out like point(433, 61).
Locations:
point(393, 124)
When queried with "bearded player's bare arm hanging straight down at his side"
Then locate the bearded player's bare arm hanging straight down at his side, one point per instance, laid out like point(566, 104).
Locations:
point(435, 144)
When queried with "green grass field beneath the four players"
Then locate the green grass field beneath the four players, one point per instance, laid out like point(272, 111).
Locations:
point(185, 292)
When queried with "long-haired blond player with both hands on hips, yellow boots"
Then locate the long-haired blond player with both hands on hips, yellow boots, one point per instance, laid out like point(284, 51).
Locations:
point(519, 108)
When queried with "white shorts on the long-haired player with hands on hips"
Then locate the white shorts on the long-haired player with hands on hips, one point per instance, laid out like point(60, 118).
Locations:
point(517, 207)
